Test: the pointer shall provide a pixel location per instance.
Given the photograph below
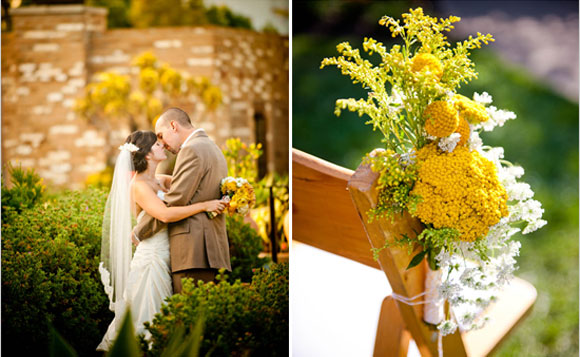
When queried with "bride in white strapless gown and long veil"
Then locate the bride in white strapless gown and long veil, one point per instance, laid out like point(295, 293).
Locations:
point(141, 283)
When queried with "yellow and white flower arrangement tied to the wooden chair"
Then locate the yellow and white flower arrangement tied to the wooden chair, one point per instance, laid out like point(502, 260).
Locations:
point(435, 166)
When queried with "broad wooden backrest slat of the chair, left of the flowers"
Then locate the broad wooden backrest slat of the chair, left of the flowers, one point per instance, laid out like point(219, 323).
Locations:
point(323, 215)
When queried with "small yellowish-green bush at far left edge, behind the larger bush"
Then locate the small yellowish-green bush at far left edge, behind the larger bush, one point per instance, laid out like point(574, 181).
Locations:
point(27, 190)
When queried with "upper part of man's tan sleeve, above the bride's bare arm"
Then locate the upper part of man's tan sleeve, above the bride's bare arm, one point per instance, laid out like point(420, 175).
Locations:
point(189, 171)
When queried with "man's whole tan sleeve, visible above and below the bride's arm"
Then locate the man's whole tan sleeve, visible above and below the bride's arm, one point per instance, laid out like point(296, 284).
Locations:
point(186, 178)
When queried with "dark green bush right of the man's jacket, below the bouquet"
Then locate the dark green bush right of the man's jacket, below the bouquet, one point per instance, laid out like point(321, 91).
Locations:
point(245, 245)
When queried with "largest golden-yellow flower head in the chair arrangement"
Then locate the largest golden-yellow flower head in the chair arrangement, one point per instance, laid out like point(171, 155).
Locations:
point(458, 190)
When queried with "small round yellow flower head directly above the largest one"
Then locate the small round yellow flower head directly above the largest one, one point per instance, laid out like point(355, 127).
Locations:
point(441, 119)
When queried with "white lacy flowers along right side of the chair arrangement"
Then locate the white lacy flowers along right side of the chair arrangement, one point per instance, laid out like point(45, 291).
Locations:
point(471, 281)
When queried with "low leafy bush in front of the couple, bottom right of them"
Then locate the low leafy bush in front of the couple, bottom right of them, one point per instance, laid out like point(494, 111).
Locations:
point(240, 319)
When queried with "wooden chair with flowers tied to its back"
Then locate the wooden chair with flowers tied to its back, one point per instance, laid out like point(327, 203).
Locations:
point(329, 205)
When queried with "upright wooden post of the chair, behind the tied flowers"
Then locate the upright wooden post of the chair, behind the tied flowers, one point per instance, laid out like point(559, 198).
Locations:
point(394, 261)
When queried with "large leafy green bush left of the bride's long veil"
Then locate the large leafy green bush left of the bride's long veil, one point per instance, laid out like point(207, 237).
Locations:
point(50, 257)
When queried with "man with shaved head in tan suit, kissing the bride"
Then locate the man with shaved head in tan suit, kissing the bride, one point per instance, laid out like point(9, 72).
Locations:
point(198, 245)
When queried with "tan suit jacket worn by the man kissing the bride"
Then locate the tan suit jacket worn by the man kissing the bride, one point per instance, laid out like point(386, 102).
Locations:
point(197, 241)
